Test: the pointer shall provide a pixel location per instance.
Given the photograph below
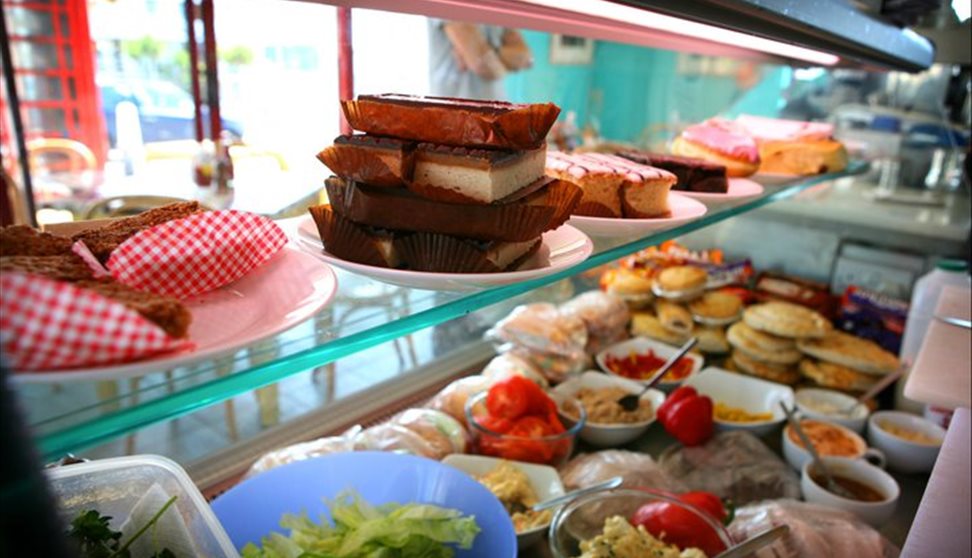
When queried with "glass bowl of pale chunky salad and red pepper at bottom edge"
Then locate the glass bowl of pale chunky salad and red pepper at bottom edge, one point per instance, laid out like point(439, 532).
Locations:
point(644, 521)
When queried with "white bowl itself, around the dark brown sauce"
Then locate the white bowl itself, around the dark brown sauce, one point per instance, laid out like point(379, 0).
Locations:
point(874, 513)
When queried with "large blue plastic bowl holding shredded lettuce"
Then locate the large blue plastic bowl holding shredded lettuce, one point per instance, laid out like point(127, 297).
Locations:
point(253, 508)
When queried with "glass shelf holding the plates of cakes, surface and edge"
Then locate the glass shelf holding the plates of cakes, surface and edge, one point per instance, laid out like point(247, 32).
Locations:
point(365, 313)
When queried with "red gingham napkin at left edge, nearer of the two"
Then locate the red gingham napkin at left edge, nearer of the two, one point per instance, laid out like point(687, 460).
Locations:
point(49, 325)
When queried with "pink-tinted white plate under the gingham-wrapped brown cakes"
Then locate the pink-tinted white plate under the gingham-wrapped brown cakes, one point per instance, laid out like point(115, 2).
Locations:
point(277, 296)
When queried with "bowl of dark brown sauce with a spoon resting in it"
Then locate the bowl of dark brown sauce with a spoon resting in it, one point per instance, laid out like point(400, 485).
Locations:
point(871, 494)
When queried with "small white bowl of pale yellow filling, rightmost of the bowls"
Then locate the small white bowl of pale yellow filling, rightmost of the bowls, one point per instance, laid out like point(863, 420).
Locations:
point(903, 455)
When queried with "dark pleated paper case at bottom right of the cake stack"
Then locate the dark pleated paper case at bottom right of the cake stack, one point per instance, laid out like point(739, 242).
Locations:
point(448, 254)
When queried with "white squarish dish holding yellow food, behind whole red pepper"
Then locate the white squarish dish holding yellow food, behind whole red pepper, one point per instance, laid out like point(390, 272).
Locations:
point(745, 392)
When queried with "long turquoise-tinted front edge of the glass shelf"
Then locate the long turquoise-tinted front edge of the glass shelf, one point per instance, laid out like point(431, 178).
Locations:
point(105, 428)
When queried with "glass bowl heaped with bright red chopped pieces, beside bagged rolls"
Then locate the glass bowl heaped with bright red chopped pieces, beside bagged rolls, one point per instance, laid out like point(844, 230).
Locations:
point(517, 420)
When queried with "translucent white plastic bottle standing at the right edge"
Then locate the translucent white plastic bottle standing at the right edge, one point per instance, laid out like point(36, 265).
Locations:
point(924, 298)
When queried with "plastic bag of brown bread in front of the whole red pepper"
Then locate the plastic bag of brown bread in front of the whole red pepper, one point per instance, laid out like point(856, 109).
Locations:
point(734, 465)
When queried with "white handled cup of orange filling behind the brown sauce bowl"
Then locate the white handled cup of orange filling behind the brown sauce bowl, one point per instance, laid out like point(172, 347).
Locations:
point(830, 440)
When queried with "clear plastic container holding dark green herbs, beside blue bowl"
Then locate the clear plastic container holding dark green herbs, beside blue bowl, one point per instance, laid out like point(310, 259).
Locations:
point(113, 486)
